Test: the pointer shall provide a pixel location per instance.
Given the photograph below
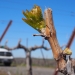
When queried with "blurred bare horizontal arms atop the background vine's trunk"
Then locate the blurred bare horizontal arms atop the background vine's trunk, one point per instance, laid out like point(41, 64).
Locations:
point(19, 45)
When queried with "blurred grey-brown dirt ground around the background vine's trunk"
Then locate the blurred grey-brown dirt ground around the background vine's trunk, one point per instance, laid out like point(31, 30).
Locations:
point(22, 71)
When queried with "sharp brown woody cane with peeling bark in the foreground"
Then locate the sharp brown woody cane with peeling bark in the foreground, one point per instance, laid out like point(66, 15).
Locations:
point(52, 39)
